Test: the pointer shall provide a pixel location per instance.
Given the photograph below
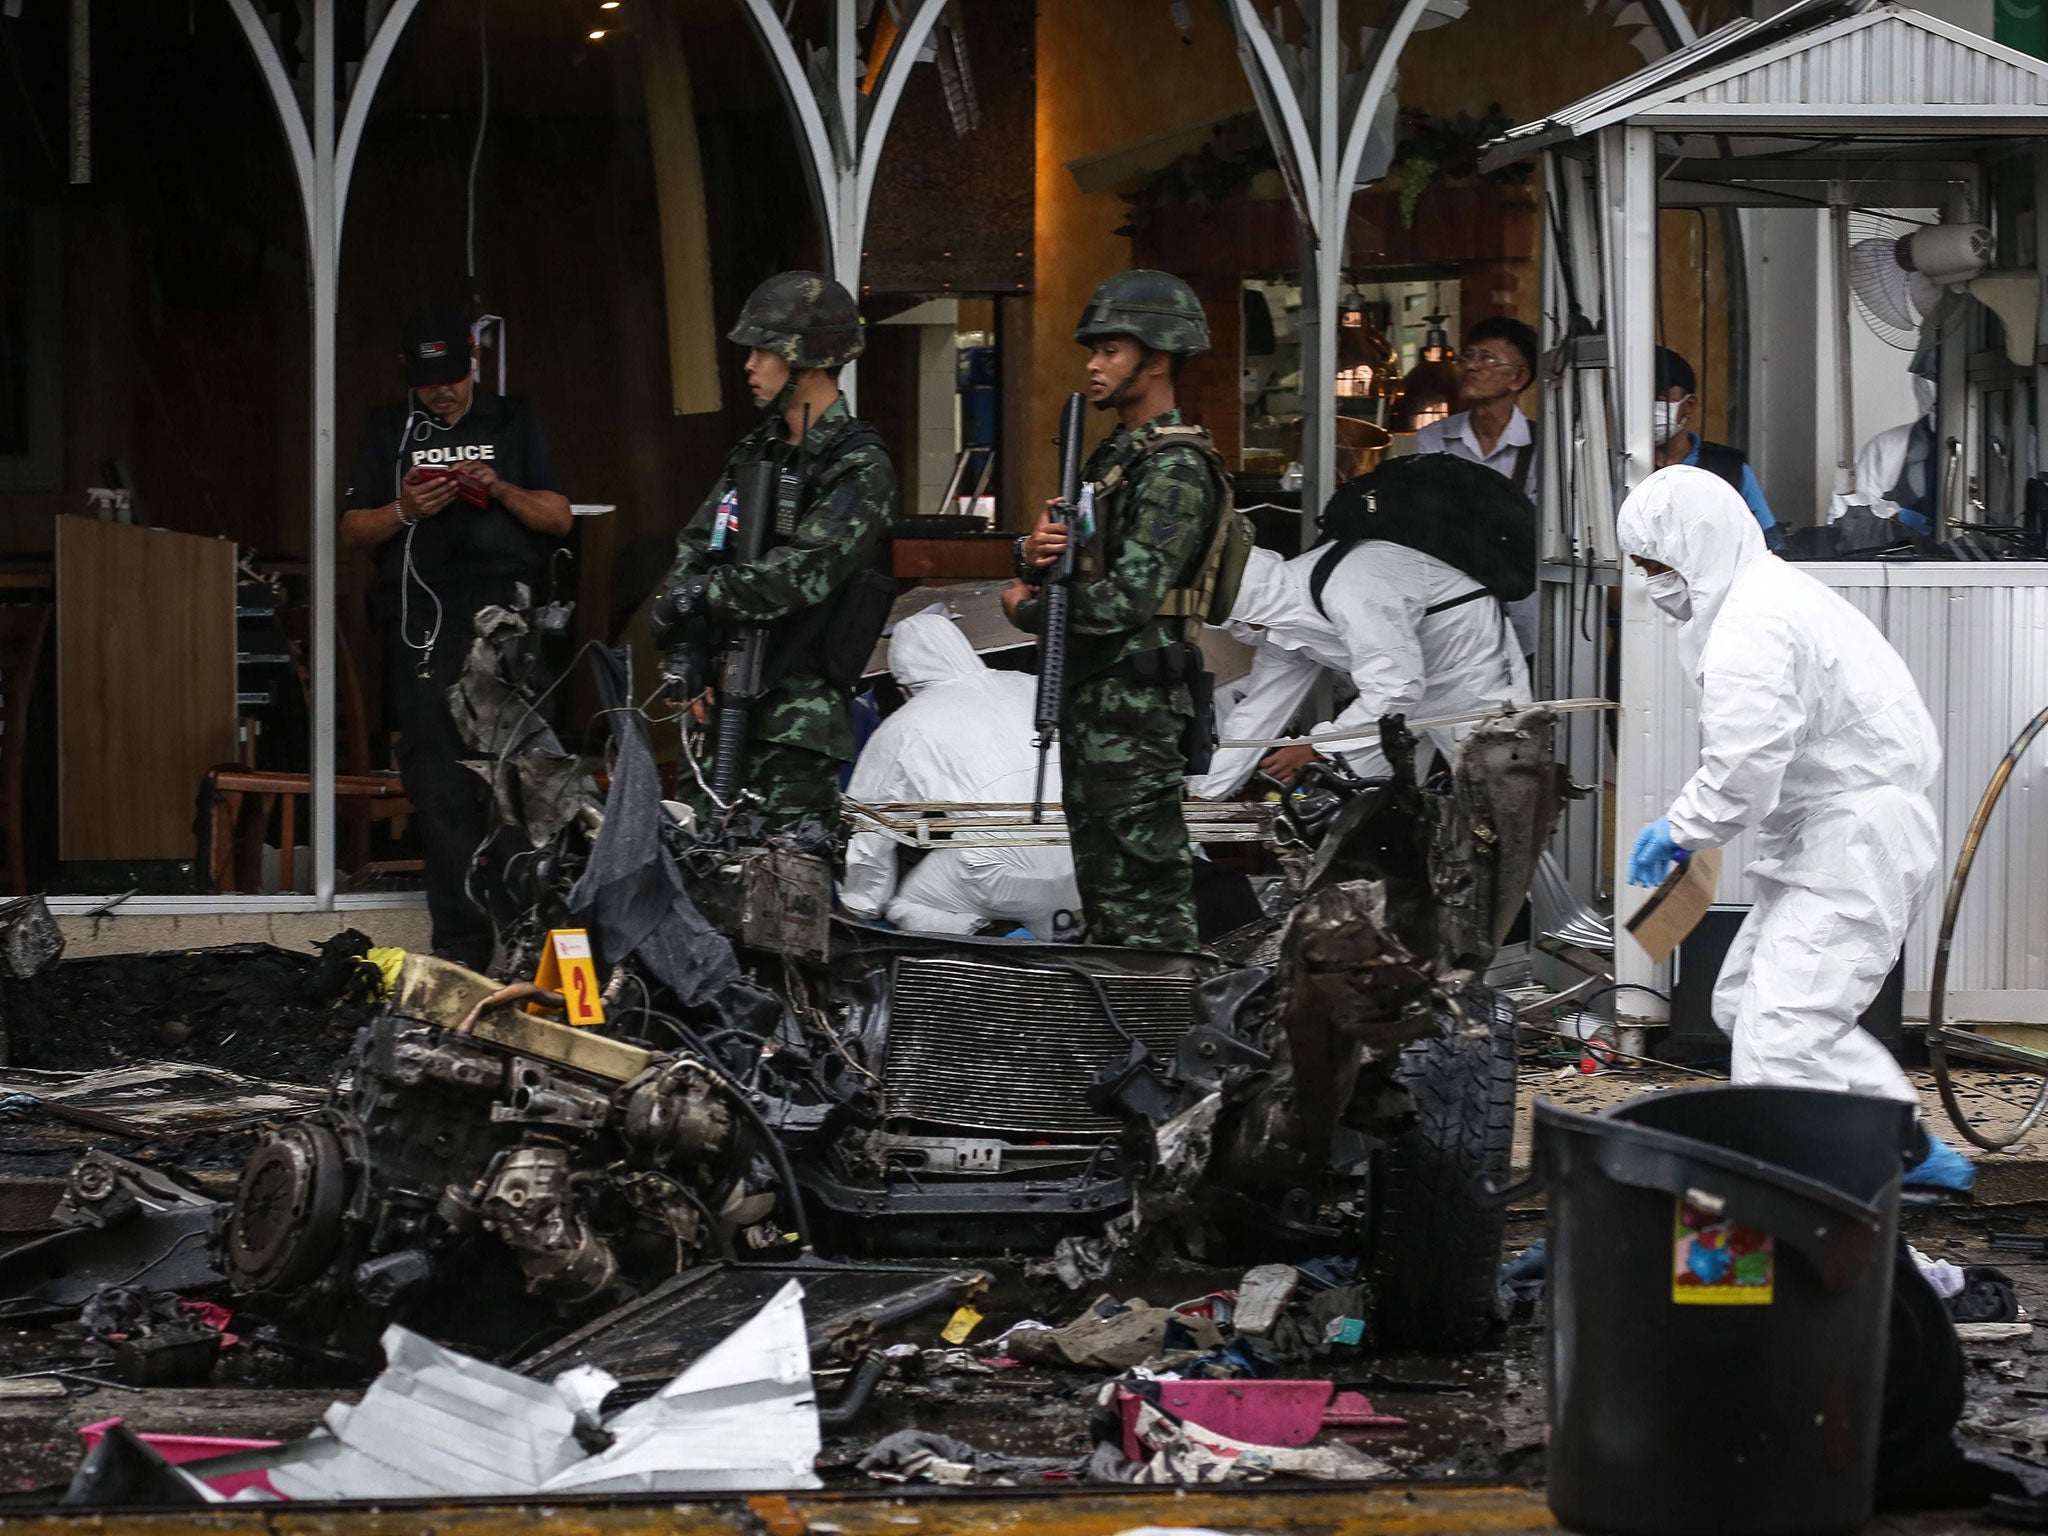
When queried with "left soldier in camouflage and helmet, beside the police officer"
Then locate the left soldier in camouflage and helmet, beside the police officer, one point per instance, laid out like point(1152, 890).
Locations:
point(835, 511)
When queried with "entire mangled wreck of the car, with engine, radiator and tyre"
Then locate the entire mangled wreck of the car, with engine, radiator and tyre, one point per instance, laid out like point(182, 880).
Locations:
point(773, 1080)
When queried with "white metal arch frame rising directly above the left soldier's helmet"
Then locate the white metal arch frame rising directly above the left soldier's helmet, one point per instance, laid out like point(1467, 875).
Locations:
point(839, 132)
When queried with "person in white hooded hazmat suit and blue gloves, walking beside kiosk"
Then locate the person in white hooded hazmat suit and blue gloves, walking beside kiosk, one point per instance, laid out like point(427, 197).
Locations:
point(1814, 734)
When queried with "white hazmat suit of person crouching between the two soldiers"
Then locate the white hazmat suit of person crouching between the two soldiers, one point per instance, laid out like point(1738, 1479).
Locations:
point(964, 736)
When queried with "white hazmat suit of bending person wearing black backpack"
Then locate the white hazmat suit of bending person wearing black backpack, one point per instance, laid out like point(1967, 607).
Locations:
point(1377, 630)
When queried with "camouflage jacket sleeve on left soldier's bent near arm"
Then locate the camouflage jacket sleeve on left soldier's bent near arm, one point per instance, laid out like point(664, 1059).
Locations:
point(839, 534)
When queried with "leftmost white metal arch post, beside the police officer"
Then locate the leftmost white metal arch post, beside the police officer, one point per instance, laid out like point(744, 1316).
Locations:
point(323, 163)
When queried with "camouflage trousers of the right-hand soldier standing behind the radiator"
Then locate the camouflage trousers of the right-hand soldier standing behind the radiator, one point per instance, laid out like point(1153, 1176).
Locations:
point(1123, 775)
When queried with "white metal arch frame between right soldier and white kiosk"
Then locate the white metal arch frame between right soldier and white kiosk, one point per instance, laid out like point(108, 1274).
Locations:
point(1320, 132)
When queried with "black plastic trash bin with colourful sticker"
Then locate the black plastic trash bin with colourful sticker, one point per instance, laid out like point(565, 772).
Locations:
point(1721, 1271)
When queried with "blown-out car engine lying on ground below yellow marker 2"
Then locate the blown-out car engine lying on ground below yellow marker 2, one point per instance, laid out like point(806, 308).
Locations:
point(597, 1168)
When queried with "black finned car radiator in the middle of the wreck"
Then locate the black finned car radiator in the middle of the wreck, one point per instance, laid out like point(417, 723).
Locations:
point(1002, 1048)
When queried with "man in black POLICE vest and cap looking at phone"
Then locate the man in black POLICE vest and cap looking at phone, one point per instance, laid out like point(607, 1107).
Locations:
point(458, 497)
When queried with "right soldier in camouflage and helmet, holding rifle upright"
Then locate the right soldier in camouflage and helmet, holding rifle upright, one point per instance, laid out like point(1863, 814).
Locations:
point(1129, 706)
